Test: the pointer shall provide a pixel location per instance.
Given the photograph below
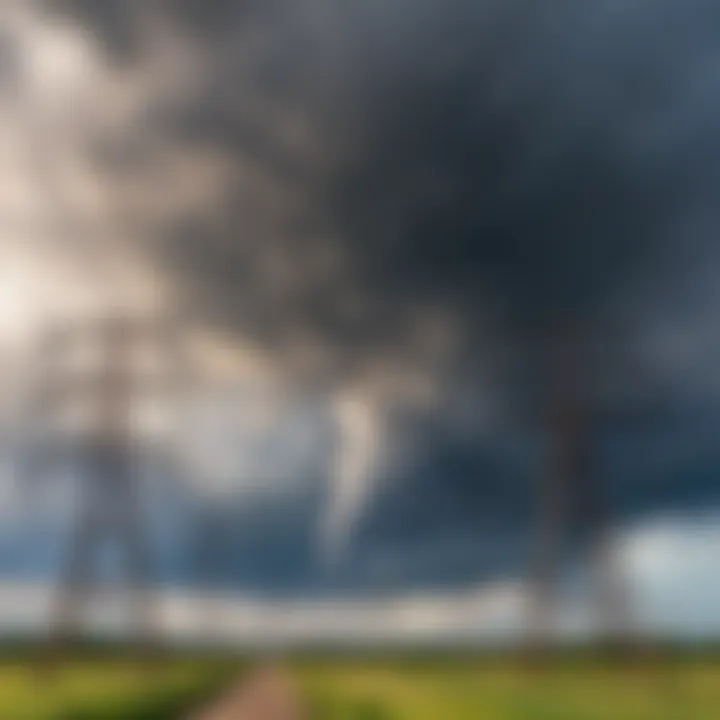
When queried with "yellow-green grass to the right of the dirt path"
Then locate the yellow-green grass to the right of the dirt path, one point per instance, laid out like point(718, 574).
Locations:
point(487, 690)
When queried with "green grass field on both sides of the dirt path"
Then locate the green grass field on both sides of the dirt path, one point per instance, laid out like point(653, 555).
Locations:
point(107, 688)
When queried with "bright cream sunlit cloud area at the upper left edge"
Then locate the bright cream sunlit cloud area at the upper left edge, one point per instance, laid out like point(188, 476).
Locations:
point(60, 253)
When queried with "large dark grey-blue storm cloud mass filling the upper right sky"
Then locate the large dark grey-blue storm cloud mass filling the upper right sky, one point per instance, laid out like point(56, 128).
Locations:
point(488, 158)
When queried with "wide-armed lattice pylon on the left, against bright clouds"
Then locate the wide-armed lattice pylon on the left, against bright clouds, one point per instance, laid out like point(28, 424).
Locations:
point(109, 383)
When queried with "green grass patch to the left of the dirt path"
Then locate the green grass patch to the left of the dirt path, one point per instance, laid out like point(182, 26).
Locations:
point(107, 689)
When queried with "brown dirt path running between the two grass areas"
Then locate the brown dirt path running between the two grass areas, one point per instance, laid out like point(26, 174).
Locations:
point(267, 694)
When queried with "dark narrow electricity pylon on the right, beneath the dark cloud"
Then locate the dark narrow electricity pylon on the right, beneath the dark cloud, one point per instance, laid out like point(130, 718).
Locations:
point(574, 499)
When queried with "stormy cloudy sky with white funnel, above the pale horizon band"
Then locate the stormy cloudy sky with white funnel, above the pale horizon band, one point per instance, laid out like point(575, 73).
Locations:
point(371, 219)
